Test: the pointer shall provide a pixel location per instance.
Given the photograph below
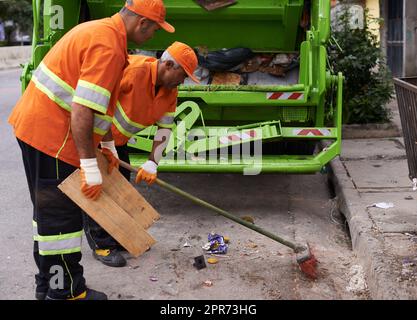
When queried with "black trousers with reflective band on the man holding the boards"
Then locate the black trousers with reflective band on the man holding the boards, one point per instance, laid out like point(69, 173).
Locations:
point(57, 226)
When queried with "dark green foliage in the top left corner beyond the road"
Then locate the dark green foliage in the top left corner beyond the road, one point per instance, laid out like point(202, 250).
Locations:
point(20, 12)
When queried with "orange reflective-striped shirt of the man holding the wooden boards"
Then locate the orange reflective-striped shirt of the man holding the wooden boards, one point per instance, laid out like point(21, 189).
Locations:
point(84, 67)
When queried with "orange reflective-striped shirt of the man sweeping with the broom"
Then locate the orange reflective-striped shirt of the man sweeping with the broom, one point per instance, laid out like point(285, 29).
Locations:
point(139, 106)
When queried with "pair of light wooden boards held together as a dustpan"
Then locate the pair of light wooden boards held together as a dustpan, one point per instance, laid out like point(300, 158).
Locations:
point(120, 210)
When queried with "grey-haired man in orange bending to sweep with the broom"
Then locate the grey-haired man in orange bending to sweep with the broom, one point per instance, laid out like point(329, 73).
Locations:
point(148, 96)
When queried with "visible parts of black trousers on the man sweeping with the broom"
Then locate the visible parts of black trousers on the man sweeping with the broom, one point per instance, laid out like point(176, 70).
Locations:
point(96, 236)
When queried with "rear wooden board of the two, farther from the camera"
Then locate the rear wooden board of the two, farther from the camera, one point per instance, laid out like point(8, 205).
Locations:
point(126, 196)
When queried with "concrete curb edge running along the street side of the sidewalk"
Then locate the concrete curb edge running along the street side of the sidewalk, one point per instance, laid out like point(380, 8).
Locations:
point(366, 241)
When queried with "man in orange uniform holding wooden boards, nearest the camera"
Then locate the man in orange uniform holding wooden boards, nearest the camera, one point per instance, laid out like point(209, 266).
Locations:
point(59, 122)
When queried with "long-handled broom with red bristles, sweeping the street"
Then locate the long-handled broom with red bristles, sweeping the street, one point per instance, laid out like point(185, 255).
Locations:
point(305, 258)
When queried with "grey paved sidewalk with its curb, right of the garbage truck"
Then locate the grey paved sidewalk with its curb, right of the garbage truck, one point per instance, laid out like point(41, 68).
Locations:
point(369, 171)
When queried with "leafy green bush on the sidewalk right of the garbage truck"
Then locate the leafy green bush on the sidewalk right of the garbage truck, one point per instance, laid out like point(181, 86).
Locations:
point(368, 83)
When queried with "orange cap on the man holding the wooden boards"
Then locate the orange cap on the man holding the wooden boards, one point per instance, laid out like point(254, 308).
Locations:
point(151, 9)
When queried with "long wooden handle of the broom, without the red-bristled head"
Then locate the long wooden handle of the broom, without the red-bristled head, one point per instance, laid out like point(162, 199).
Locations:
point(222, 212)
